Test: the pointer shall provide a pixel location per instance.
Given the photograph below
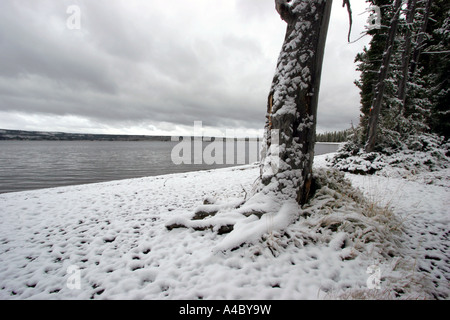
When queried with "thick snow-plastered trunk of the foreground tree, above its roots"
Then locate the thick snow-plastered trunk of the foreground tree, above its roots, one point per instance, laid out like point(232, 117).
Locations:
point(288, 147)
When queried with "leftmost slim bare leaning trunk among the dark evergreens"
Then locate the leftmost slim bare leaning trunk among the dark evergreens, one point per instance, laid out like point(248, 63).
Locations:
point(382, 75)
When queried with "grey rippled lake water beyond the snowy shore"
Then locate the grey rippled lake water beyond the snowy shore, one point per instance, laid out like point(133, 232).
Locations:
point(28, 165)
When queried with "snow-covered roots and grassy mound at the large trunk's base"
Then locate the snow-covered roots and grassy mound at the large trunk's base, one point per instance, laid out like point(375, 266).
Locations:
point(337, 215)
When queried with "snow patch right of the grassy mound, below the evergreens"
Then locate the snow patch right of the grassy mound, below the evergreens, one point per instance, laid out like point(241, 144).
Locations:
point(425, 210)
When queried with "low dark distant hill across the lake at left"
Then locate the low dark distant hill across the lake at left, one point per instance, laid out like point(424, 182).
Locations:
point(42, 135)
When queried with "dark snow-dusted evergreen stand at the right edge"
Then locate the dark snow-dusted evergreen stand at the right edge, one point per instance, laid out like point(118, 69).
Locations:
point(415, 95)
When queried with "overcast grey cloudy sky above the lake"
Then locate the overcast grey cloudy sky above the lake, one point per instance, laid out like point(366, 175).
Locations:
point(156, 66)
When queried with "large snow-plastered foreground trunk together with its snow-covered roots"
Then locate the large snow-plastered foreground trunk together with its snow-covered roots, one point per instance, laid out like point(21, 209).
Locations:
point(288, 147)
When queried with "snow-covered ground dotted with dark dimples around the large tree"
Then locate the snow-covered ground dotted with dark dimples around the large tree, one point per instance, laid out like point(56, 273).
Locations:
point(110, 241)
